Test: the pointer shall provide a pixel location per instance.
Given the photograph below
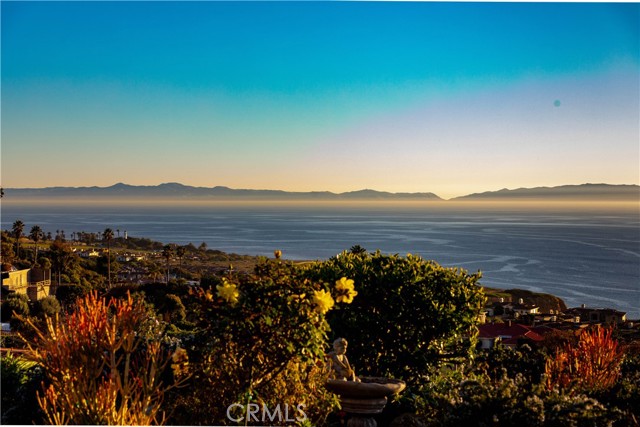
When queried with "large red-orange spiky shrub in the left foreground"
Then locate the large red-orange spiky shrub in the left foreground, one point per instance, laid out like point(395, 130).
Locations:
point(103, 368)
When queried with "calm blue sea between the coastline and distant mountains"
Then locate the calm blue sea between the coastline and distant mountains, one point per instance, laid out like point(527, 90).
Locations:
point(585, 255)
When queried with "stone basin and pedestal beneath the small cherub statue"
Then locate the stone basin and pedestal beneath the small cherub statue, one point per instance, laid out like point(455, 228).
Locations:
point(362, 400)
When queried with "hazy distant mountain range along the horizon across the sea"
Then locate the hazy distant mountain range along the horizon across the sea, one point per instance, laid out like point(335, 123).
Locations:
point(175, 191)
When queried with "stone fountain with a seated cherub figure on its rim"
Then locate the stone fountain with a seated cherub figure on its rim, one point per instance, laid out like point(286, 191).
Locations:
point(362, 397)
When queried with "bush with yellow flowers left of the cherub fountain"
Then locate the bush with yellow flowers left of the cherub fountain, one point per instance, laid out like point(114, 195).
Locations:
point(264, 336)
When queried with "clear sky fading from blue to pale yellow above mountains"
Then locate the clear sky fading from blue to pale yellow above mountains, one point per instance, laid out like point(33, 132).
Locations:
point(450, 98)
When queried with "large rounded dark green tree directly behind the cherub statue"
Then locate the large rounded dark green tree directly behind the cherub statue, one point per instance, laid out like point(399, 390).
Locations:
point(409, 313)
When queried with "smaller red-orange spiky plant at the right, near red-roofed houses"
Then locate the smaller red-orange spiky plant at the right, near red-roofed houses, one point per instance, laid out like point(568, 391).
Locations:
point(592, 364)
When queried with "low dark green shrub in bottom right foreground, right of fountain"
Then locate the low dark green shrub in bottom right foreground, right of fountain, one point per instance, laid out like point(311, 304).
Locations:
point(477, 396)
